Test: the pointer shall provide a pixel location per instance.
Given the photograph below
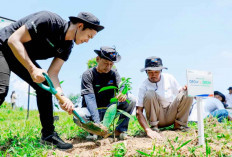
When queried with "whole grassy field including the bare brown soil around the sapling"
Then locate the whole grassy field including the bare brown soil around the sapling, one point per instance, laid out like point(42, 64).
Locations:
point(20, 137)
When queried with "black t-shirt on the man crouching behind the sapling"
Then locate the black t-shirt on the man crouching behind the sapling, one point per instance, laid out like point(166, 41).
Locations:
point(93, 81)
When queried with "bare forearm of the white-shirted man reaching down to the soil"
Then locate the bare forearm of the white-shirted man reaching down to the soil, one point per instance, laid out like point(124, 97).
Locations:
point(142, 121)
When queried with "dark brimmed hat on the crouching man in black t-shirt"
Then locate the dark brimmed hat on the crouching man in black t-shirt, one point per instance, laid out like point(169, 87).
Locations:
point(108, 53)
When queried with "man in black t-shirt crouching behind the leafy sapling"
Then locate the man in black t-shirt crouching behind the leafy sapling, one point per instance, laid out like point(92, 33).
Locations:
point(93, 80)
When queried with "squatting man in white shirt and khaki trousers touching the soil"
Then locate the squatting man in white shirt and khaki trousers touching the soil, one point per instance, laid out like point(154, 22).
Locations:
point(165, 102)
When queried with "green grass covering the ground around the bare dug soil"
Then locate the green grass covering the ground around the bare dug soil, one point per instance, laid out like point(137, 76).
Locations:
point(20, 137)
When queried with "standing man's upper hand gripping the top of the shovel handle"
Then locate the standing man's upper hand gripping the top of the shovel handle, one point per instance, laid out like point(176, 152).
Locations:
point(37, 75)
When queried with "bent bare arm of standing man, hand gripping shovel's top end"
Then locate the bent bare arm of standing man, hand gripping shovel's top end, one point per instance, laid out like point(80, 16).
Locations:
point(15, 42)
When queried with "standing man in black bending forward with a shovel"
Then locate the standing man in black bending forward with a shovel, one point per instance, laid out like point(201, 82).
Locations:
point(40, 36)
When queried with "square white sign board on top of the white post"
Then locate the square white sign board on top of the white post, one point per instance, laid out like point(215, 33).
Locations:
point(200, 83)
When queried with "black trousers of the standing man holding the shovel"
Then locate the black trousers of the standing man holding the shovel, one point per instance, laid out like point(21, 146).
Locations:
point(9, 63)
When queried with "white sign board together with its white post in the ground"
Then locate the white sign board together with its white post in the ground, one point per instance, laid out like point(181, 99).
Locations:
point(200, 84)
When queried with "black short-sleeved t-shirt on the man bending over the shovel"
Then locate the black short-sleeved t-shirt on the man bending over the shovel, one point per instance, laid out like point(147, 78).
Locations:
point(47, 31)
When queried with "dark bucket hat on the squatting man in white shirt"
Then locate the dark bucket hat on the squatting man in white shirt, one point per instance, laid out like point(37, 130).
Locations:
point(153, 63)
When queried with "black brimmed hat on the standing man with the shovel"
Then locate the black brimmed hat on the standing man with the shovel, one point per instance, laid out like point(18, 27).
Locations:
point(89, 18)
